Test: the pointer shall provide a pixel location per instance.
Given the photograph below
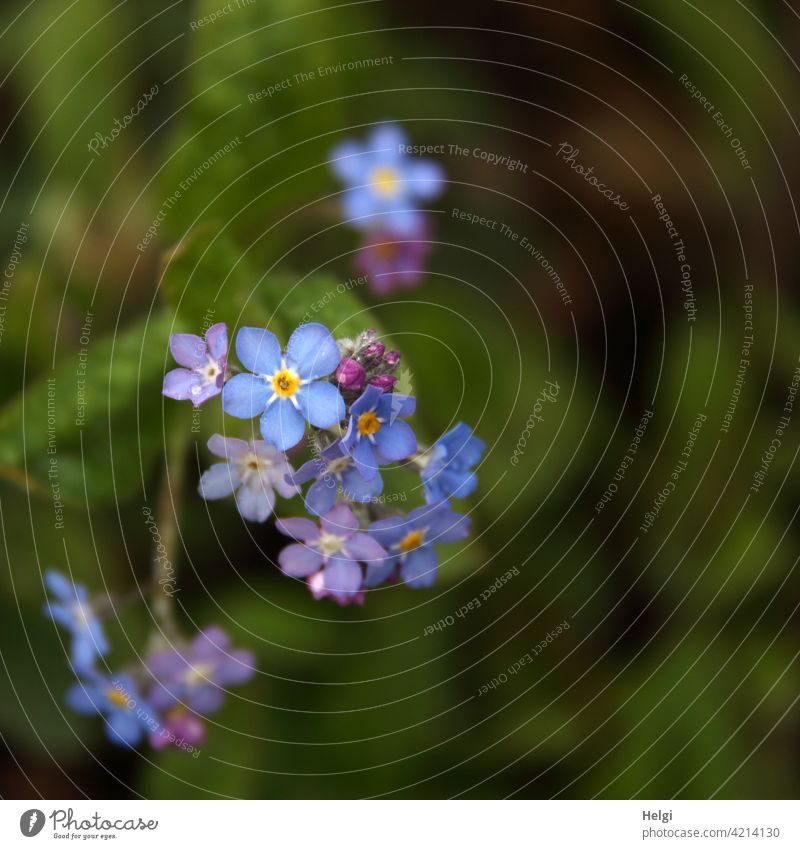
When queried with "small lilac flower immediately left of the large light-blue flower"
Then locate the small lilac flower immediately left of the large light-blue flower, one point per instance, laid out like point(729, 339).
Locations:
point(204, 364)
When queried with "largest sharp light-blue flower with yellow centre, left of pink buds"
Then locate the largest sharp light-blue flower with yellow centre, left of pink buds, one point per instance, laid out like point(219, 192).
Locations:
point(287, 389)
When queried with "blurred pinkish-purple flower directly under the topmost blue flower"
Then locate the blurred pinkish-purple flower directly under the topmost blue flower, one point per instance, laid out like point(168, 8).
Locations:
point(394, 260)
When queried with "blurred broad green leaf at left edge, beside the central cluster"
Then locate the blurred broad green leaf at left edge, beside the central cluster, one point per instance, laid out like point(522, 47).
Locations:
point(89, 433)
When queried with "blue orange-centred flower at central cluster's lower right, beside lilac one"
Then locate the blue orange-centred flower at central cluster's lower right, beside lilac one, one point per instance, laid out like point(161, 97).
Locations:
point(410, 542)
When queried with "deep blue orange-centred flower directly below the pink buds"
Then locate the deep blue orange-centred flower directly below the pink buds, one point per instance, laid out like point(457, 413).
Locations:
point(375, 435)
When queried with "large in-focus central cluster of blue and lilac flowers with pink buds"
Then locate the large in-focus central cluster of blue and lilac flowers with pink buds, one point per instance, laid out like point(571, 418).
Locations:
point(340, 394)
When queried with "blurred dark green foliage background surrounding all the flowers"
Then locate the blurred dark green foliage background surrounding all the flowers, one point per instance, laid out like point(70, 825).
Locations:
point(678, 675)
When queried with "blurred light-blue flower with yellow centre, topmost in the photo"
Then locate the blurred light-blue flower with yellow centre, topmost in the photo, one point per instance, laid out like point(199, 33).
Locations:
point(384, 184)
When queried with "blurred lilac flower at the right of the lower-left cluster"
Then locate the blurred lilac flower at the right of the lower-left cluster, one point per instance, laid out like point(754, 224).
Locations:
point(197, 676)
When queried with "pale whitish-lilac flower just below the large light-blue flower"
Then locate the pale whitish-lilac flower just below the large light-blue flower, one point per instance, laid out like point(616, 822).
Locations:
point(254, 471)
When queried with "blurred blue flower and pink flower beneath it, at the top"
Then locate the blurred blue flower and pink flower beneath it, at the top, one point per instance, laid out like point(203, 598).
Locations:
point(384, 185)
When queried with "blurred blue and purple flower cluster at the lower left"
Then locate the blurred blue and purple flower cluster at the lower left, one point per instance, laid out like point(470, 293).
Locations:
point(165, 697)
